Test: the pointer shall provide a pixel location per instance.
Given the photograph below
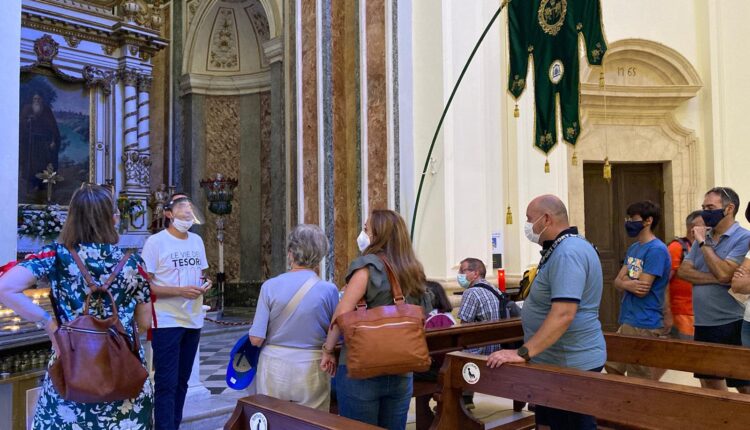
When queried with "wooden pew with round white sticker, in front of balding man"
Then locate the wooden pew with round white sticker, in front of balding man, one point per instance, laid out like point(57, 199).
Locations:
point(637, 402)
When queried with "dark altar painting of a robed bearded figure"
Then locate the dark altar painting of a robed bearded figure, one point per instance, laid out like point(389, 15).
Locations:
point(53, 130)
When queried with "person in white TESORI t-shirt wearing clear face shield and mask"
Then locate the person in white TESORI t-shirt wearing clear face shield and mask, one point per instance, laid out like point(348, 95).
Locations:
point(175, 260)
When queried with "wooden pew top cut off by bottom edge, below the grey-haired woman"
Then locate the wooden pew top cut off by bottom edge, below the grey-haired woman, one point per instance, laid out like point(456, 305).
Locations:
point(288, 416)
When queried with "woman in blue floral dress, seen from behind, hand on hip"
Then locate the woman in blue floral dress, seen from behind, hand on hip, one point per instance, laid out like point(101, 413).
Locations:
point(89, 230)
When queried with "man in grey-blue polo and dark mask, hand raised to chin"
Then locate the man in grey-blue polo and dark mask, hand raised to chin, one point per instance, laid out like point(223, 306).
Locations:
point(718, 250)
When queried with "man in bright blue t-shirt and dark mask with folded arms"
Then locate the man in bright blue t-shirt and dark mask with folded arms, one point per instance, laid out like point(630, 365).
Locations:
point(643, 280)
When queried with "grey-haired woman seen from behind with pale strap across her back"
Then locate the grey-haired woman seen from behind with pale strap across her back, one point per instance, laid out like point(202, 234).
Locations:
point(291, 322)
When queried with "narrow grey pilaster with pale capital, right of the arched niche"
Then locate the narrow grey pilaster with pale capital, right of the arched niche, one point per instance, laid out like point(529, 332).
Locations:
point(274, 50)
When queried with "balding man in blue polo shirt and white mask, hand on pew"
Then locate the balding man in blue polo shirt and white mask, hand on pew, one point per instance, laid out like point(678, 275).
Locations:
point(560, 317)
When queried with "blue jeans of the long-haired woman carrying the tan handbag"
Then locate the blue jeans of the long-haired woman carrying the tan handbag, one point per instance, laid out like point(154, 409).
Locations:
point(382, 401)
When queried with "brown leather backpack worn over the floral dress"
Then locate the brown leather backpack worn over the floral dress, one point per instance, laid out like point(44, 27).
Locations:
point(96, 361)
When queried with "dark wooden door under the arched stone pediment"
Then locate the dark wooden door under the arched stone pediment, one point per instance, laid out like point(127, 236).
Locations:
point(605, 205)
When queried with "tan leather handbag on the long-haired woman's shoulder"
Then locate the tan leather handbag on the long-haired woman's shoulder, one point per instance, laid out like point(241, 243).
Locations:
point(386, 340)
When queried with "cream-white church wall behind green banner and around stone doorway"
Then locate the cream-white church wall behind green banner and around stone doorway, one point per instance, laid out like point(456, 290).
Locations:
point(466, 200)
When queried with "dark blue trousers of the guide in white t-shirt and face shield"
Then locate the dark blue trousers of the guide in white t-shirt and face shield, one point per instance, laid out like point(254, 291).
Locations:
point(174, 353)
